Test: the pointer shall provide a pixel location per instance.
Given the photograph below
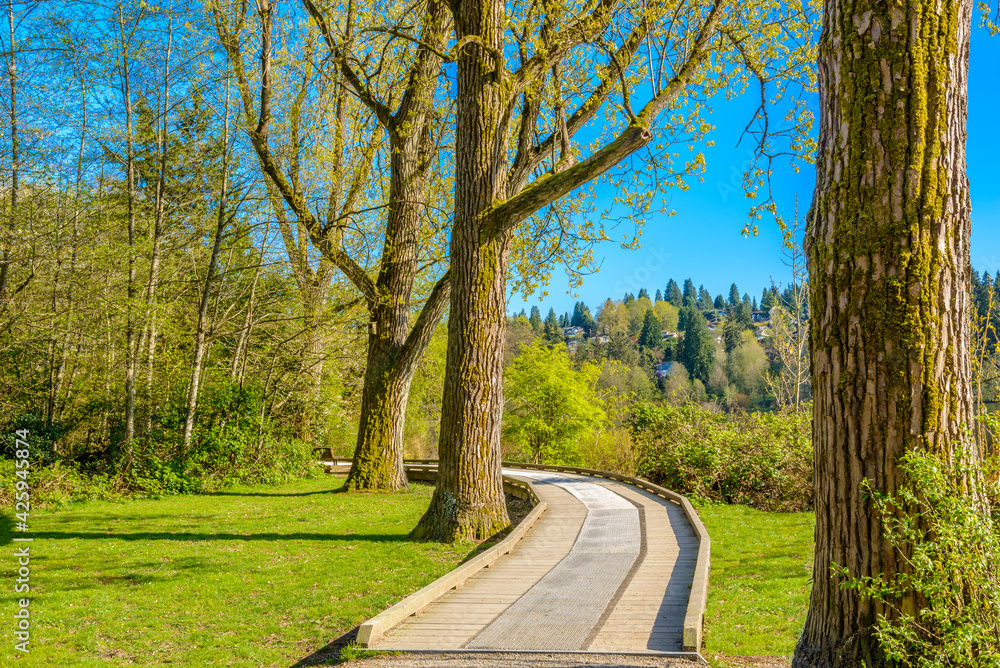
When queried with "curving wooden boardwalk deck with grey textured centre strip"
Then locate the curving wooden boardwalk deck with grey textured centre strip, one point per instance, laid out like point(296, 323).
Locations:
point(607, 568)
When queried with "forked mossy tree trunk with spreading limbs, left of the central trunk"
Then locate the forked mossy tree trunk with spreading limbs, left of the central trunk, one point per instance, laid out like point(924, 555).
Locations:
point(393, 347)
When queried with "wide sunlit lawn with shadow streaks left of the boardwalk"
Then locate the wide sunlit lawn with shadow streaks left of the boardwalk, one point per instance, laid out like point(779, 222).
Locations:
point(246, 577)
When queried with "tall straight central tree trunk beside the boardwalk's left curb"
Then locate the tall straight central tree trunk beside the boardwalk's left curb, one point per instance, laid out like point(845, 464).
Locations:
point(469, 502)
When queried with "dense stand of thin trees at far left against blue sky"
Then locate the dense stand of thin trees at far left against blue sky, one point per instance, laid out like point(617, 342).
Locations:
point(161, 327)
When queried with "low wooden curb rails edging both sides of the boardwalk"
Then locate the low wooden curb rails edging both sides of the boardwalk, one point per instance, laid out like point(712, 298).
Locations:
point(426, 469)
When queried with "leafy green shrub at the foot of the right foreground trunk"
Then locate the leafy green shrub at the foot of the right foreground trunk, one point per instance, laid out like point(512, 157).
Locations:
point(940, 523)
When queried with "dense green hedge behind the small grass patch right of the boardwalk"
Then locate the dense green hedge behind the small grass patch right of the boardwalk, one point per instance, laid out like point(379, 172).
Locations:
point(762, 460)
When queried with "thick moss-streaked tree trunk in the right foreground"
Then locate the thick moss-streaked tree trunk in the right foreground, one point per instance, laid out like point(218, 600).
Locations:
point(888, 250)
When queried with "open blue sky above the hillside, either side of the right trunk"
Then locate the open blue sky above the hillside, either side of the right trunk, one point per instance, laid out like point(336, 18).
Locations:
point(703, 241)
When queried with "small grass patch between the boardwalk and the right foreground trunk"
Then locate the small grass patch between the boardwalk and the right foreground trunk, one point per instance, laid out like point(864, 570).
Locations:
point(759, 587)
